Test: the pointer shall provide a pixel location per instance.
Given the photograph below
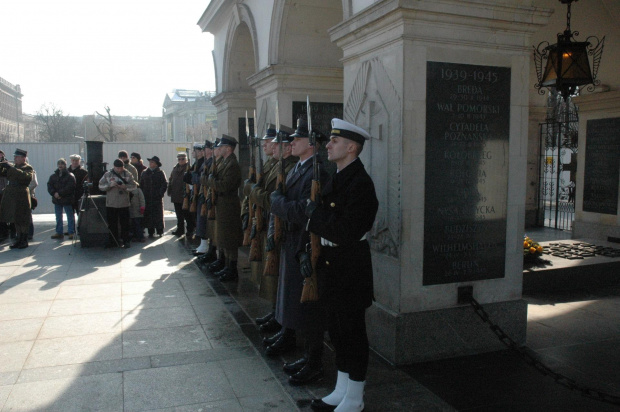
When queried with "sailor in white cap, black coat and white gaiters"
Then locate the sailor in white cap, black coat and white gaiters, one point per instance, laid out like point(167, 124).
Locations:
point(343, 217)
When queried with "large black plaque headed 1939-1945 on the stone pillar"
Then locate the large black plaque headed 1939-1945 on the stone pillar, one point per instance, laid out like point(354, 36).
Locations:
point(466, 173)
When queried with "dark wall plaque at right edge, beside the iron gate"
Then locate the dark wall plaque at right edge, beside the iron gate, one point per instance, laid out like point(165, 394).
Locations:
point(602, 166)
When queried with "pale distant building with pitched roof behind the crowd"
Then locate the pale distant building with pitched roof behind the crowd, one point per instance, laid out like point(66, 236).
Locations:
point(189, 115)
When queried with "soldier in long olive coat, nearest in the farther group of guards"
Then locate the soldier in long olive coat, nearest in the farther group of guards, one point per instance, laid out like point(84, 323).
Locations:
point(225, 184)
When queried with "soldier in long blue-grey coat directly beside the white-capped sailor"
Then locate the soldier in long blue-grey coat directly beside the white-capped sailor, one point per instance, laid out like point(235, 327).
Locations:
point(309, 317)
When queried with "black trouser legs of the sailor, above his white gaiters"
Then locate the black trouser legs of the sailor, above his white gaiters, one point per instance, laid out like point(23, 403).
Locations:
point(347, 331)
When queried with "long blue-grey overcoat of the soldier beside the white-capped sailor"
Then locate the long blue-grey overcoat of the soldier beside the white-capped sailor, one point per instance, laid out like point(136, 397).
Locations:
point(290, 312)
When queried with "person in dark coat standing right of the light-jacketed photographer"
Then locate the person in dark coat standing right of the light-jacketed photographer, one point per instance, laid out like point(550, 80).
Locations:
point(154, 185)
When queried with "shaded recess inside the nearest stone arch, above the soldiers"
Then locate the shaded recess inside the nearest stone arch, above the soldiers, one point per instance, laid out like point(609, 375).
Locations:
point(299, 33)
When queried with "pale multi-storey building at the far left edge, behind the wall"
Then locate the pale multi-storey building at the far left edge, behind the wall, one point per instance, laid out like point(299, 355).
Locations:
point(11, 127)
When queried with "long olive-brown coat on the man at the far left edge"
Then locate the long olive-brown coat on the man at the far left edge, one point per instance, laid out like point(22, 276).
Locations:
point(15, 207)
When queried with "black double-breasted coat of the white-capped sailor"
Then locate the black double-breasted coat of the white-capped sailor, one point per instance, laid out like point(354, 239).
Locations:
point(347, 212)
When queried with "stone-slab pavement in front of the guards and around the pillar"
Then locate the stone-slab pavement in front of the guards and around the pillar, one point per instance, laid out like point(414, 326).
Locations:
point(147, 329)
